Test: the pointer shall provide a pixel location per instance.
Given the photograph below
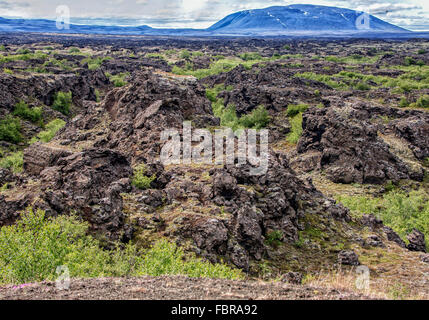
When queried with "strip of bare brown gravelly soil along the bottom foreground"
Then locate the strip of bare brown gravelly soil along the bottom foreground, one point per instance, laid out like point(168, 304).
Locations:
point(172, 288)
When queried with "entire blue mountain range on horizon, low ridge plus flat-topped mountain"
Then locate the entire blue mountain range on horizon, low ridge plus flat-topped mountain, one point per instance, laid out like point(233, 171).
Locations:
point(292, 20)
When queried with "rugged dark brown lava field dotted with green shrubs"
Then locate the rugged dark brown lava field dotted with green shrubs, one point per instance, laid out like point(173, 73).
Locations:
point(346, 187)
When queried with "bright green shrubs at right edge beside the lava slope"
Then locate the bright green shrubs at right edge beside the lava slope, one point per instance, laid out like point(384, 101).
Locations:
point(399, 210)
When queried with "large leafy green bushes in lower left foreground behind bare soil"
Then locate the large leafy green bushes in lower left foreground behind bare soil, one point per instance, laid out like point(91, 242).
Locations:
point(33, 249)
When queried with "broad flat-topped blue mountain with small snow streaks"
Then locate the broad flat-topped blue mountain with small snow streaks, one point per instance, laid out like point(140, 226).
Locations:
point(299, 18)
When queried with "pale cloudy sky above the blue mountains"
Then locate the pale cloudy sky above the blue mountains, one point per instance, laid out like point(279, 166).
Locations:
point(410, 14)
